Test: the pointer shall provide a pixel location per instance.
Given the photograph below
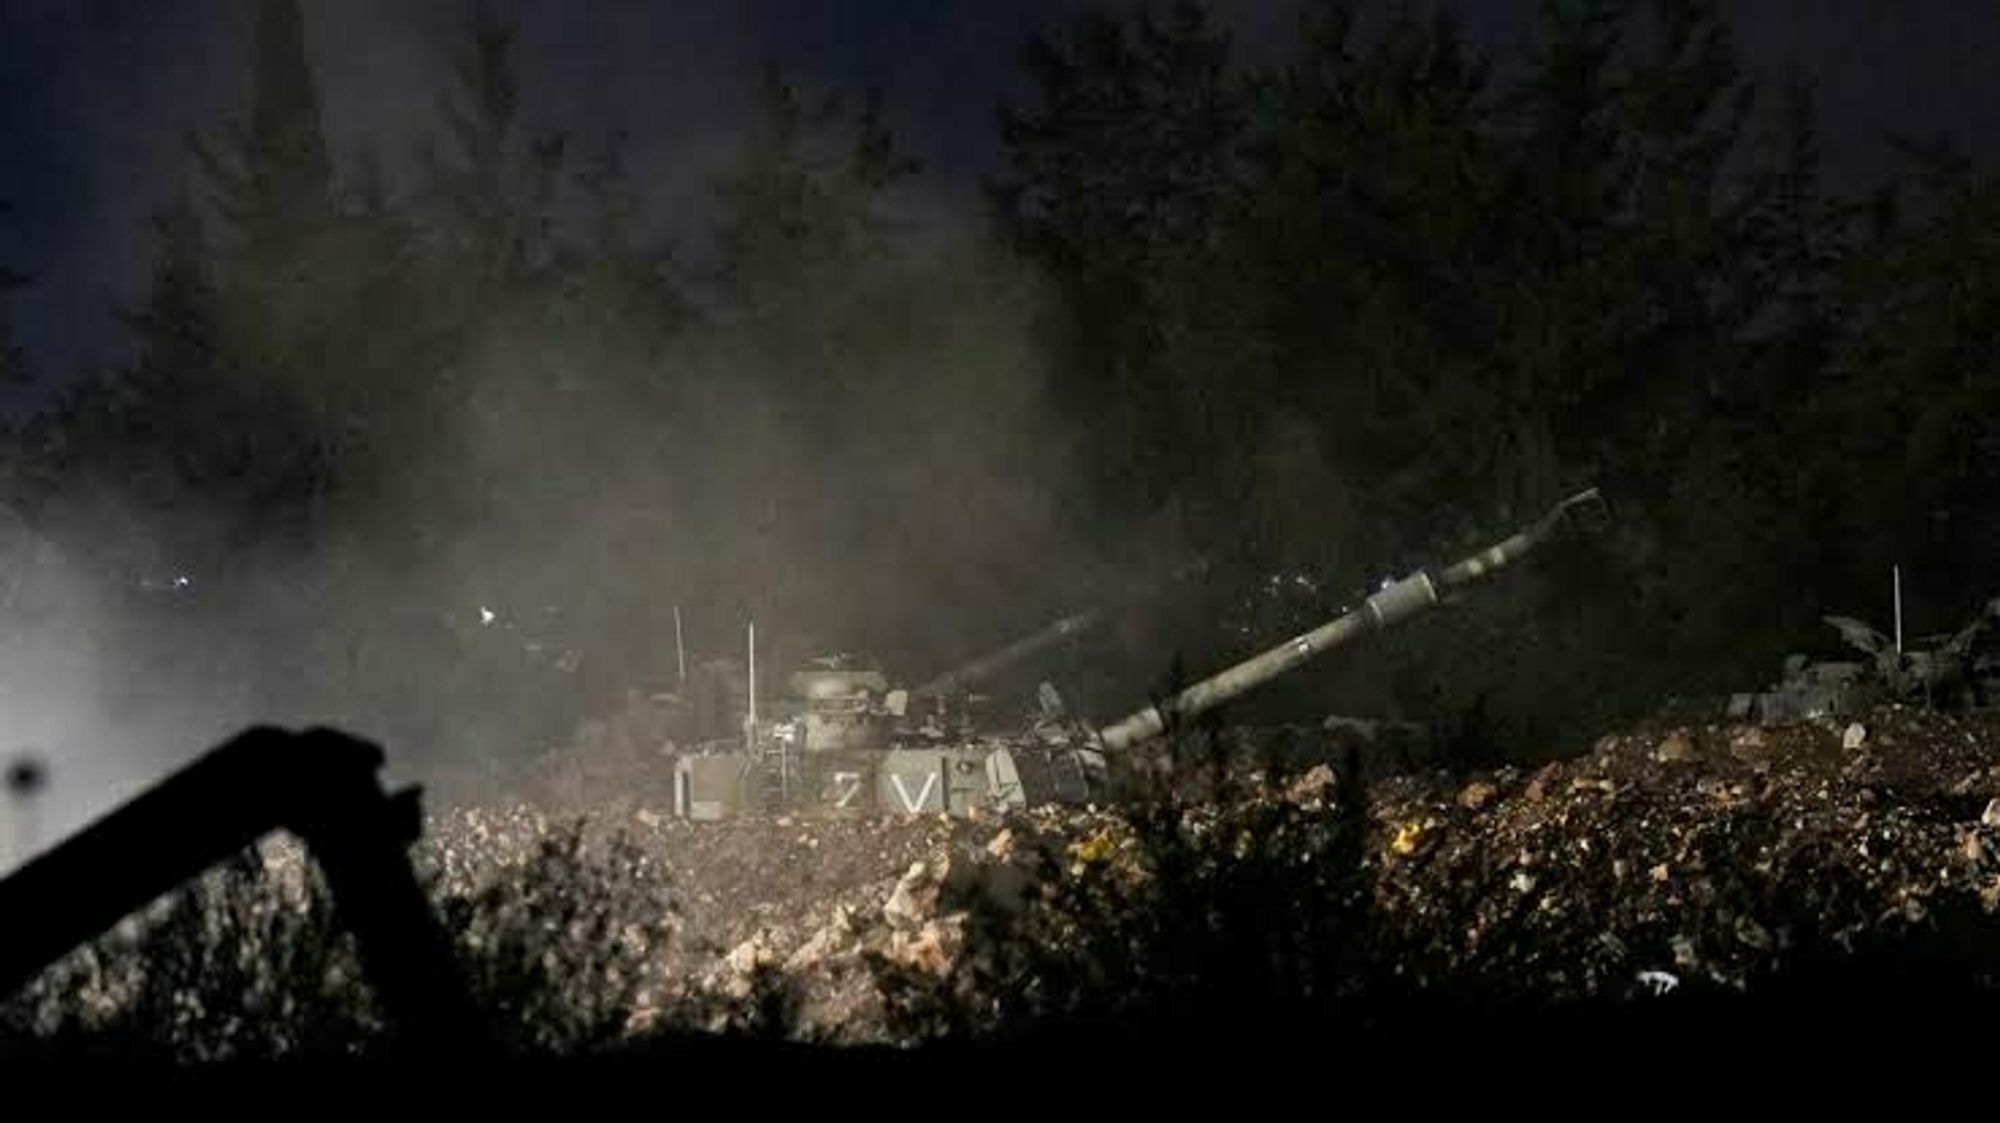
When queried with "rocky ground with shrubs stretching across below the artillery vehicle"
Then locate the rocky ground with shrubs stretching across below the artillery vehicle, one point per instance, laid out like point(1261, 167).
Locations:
point(1709, 860)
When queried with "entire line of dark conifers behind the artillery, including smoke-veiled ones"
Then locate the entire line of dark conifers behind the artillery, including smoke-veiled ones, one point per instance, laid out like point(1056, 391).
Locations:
point(1325, 319)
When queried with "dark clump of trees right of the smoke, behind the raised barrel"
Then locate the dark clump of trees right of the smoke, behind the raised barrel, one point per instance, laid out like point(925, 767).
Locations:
point(1353, 309)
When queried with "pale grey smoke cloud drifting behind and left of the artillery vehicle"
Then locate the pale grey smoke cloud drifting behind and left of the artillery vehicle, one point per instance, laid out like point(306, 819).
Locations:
point(875, 467)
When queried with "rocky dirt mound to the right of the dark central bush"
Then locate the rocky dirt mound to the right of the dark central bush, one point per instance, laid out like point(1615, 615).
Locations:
point(1701, 854)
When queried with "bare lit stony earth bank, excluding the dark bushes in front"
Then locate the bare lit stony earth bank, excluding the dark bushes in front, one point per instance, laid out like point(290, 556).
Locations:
point(1701, 856)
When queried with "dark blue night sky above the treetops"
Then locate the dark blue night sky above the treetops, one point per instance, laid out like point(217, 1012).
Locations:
point(95, 97)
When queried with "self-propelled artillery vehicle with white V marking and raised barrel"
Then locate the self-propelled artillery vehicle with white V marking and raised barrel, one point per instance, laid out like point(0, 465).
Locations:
point(851, 742)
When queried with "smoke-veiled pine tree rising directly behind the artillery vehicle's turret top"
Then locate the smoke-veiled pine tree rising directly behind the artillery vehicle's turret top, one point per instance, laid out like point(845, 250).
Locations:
point(801, 267)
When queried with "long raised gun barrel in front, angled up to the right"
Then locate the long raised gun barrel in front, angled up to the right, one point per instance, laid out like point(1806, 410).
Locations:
point(1389, 606)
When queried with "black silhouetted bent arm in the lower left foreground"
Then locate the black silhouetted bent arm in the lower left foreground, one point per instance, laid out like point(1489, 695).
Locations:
point(317, 784)
